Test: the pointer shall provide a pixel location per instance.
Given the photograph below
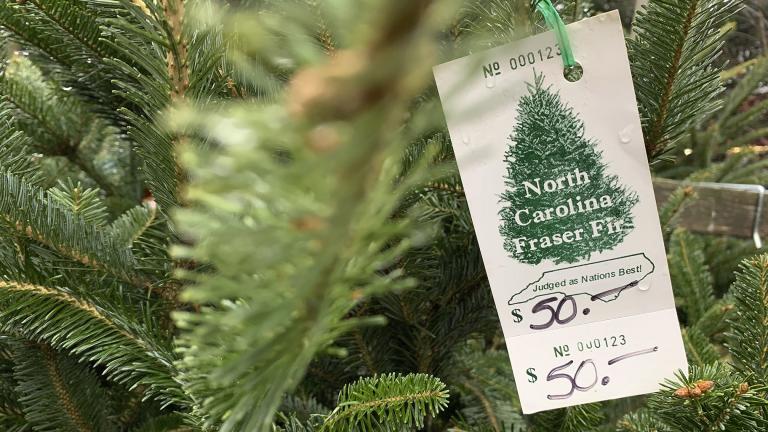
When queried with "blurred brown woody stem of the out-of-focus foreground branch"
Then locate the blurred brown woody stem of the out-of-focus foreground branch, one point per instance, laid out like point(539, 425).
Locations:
point(344, 80)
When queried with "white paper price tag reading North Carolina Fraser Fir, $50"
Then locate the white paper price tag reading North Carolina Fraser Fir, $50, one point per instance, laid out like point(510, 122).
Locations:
point(560, 193)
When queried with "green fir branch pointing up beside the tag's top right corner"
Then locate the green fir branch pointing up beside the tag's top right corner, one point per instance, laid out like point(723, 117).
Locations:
point(672, 55)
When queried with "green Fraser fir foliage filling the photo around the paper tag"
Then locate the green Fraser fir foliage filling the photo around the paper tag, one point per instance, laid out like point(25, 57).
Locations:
point(245, 216)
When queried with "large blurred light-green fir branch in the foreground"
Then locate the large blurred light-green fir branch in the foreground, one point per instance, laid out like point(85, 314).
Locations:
point(339, 221)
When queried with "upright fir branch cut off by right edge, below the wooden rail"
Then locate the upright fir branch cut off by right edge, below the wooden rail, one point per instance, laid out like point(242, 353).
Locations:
point(748, 338)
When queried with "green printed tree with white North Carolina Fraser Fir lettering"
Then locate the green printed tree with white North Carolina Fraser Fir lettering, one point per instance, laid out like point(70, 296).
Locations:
point(548, 144)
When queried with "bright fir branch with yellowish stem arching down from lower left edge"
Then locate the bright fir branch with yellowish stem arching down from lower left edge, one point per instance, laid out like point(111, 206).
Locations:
point(66, 322)
